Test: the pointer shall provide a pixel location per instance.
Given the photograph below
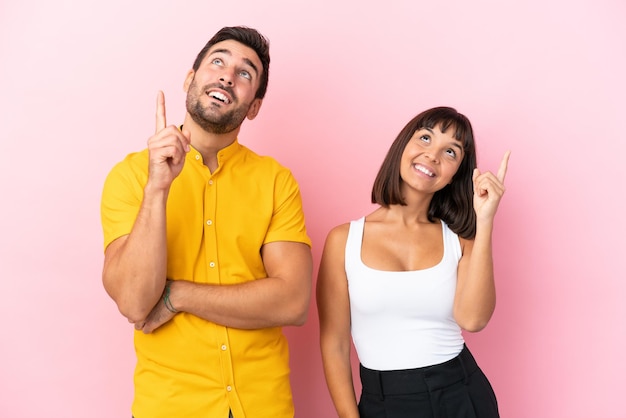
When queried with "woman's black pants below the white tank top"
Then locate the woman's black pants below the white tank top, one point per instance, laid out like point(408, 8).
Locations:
point(454, 389)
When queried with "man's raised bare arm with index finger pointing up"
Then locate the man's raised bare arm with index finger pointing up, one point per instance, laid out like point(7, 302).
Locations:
point(135, 265)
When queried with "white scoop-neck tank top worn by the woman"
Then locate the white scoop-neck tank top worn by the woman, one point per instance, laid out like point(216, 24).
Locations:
point(403, 319)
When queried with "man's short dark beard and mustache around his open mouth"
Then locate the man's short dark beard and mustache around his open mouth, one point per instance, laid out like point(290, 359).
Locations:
point(217, 124)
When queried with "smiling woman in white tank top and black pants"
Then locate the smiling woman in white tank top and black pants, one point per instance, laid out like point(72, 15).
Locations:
point(404, 280)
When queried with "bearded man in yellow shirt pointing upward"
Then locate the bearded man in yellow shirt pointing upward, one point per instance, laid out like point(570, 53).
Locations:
point(206, 250)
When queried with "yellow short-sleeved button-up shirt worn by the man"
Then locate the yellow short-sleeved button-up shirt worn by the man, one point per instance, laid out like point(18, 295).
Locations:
point(216, 225)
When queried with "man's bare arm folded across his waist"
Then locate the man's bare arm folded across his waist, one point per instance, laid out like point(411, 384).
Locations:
point(281, 299)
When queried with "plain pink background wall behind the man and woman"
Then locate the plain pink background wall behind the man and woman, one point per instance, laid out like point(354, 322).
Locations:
point(542, 78)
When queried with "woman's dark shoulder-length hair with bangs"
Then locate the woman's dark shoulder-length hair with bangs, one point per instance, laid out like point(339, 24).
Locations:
point(454, 203)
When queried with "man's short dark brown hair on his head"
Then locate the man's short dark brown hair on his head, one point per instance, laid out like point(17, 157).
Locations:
point(248, 37)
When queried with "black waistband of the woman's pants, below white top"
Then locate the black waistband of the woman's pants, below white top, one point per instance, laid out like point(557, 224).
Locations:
point(423, 379)
